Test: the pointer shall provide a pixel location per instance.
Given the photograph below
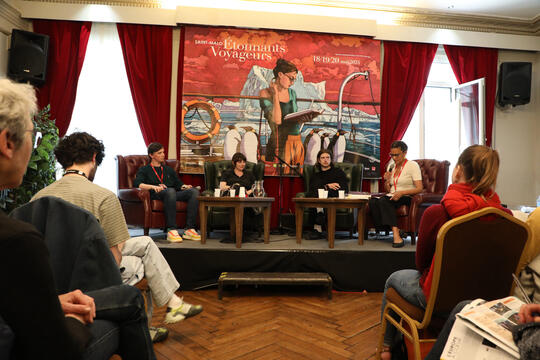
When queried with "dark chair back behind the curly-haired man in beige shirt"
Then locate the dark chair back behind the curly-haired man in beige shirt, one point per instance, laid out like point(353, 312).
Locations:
point(79, 254)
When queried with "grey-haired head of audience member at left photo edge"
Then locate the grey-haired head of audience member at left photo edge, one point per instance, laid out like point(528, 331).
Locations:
point(17, 107)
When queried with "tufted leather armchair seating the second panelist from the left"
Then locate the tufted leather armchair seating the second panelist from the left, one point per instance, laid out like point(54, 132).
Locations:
point(218, 217)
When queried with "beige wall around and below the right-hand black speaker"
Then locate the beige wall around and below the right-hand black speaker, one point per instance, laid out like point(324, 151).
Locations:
point(517, 134)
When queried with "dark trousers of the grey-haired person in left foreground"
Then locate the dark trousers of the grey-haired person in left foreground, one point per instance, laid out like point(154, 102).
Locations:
point(121, 325)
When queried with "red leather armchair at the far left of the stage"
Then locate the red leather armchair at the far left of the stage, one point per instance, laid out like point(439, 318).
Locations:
point(139, 209)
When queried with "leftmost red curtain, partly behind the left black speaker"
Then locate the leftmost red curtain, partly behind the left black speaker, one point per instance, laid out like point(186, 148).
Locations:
point(67, 48)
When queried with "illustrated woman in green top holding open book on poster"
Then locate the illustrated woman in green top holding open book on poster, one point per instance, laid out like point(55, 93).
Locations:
point(277, 101)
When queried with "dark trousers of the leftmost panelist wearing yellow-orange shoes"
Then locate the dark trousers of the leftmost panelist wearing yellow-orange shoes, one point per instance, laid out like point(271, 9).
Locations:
point(170, 196)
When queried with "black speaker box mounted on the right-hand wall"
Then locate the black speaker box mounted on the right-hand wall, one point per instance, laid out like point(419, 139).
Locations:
point(515, 83)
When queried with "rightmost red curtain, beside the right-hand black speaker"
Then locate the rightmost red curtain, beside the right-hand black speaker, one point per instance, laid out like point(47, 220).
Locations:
point(470, 63)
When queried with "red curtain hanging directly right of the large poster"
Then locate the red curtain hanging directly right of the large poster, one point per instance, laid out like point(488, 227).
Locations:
point(405, 73)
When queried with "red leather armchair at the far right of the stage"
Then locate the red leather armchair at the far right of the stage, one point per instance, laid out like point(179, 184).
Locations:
point(435, 182)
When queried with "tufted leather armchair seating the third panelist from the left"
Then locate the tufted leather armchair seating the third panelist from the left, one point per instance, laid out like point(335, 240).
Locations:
point(345, 218)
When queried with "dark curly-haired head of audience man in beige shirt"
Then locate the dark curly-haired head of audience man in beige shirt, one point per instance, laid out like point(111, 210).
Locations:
point(79, 148)
